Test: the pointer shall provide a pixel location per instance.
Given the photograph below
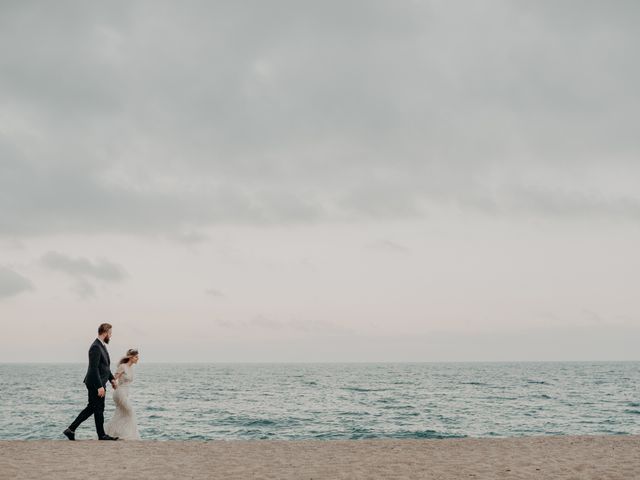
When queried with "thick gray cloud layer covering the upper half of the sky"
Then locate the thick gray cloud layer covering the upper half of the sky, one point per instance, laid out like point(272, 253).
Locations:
point(154, 116)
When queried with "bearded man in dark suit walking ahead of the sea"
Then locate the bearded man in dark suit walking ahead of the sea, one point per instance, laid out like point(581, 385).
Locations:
point(98, 373)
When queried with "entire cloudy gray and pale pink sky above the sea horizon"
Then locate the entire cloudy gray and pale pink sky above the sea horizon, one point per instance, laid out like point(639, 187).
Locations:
point(326, 181)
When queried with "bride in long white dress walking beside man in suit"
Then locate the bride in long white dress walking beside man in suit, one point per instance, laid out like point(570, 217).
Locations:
point(123, 424)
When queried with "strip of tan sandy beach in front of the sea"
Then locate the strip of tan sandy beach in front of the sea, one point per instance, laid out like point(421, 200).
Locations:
point(552, 457)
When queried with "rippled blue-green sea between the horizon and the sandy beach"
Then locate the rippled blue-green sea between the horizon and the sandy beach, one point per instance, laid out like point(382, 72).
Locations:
point(336, 401)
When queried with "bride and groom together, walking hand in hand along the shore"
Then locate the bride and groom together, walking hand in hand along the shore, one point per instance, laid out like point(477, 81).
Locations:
point(123, 425)
